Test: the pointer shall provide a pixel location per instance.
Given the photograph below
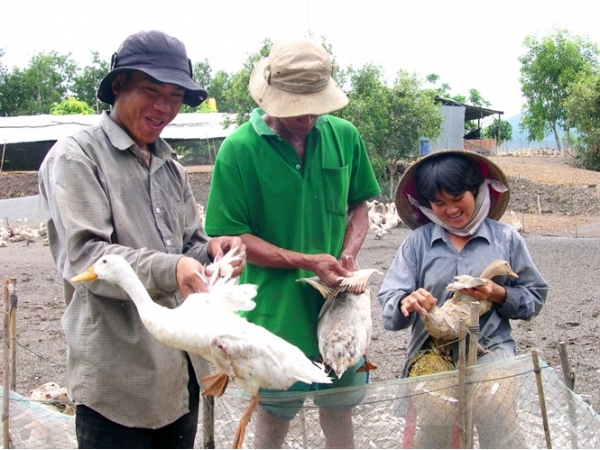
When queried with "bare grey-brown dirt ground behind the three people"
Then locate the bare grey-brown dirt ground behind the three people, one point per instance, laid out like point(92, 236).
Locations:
point(558, 204)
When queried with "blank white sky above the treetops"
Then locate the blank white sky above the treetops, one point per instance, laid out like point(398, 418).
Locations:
point(468, 43)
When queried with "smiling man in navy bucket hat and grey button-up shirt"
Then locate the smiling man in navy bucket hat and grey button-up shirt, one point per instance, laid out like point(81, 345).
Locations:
point(117, 187)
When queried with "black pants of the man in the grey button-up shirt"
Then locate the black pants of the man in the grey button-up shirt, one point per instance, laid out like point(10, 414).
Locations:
point(96, 431)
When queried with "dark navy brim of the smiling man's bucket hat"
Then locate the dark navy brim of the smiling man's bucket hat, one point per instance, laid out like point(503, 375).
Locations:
point(193, 96)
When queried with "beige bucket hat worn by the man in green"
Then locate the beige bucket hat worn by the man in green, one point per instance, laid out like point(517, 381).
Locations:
point(295, 80)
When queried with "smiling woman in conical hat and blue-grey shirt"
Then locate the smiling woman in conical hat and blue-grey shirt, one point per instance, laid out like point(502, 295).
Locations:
point(453, 200)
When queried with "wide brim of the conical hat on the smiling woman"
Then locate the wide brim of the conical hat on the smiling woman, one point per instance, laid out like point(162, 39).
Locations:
point(407, 185)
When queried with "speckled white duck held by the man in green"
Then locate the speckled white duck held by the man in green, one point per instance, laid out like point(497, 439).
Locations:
point(345, 326)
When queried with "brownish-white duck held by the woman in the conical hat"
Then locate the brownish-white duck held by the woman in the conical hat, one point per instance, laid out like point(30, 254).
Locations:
point(442, 322)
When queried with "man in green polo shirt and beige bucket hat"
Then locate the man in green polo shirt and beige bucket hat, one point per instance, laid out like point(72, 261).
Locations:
point(293, 183)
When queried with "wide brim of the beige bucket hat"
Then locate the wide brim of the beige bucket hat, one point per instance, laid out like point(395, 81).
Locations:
point(279, 103)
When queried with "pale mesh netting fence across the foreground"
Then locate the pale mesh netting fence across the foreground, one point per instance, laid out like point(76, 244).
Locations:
point(502, 399)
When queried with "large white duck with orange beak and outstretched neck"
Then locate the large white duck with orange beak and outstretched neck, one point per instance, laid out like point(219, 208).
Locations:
point(207, 324)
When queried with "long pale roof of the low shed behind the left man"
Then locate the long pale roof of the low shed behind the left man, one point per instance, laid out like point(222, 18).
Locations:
point(14, 130)
